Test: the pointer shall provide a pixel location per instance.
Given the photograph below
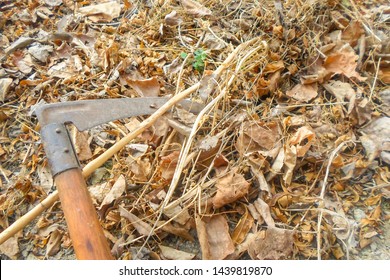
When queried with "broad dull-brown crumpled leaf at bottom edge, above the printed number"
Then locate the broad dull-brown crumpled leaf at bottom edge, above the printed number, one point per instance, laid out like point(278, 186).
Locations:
point(277, 244)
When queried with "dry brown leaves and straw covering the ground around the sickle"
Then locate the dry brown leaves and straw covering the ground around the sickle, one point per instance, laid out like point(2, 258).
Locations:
point(288, 160)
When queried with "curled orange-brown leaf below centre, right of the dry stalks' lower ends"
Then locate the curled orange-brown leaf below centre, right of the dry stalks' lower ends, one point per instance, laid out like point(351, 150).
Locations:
point(230, 188)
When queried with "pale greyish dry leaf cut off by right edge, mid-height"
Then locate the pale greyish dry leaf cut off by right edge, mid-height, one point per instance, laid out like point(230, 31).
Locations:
point(375, 136)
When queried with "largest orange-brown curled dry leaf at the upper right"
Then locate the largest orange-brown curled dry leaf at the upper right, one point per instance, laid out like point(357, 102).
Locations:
point(343, 61)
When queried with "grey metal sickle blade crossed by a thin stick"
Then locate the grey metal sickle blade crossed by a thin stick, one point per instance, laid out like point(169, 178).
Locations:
point(86, 114)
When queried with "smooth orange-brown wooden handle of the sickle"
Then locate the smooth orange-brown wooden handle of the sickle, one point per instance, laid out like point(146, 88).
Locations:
point(88, 239)
